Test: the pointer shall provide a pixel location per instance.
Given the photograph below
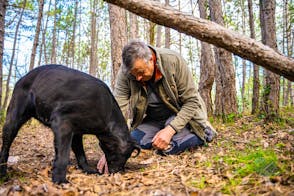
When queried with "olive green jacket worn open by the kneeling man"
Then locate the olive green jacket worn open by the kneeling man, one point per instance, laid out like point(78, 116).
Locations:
point(177, 90)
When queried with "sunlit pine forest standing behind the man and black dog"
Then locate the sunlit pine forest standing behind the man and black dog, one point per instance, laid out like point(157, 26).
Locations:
point(89, 36)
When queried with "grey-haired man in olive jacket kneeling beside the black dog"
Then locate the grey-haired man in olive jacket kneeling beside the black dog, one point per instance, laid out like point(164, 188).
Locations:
point(167, 111)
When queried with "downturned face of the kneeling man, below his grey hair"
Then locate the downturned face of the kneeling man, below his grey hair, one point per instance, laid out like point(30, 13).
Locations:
point(143, 70)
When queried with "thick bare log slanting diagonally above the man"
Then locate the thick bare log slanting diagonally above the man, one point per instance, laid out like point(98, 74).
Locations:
point(212, 33)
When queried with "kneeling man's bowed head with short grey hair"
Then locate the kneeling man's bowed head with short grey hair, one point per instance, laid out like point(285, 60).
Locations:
point(137, 60)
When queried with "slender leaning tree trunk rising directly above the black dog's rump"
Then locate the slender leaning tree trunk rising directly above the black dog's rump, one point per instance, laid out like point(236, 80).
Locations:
point(36, 39)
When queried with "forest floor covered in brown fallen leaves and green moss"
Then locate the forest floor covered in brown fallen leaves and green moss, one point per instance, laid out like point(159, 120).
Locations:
point(248, 157)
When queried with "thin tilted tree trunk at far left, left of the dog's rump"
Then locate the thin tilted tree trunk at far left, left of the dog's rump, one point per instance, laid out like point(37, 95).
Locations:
point(13, 54)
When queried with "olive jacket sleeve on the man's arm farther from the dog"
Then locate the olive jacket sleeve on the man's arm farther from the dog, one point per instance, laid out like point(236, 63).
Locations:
point(191, 103)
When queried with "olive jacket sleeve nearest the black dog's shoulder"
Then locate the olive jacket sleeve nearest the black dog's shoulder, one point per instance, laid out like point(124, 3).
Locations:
point(122, 92)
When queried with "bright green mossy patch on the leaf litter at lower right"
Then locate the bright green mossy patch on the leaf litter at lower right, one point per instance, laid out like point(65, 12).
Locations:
point(250, 162)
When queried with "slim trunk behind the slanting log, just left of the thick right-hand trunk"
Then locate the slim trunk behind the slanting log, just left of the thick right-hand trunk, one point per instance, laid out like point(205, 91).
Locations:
point(255, 96)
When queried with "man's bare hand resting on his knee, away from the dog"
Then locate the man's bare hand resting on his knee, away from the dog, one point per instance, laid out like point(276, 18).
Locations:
point(162, 139)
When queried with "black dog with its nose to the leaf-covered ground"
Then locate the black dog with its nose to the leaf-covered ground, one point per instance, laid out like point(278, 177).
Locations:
point(71, 103)
